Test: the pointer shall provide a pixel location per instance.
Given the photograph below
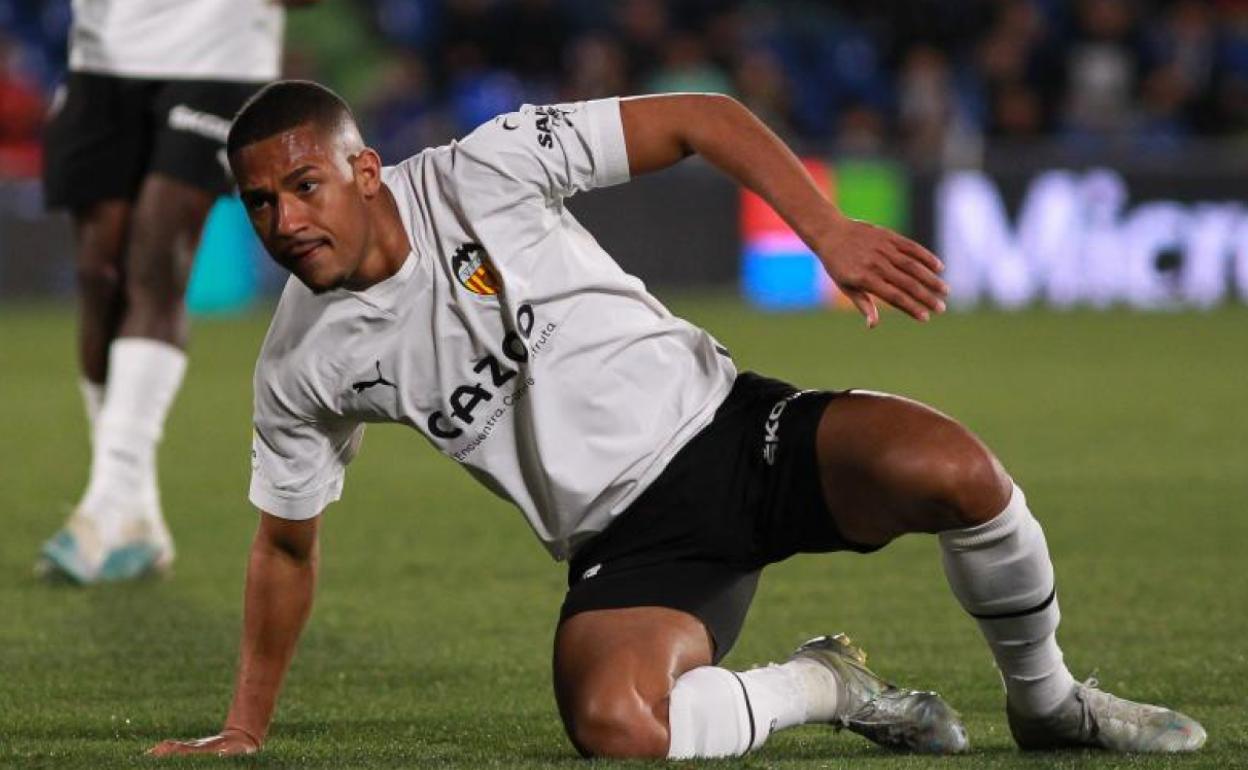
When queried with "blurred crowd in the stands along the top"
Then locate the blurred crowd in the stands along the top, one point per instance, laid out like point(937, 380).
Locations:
point(929, 80)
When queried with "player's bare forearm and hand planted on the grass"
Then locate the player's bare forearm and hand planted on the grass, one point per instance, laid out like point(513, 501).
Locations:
point(281, 581)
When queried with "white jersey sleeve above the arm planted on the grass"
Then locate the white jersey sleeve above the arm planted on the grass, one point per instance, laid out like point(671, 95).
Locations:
point(298, 465)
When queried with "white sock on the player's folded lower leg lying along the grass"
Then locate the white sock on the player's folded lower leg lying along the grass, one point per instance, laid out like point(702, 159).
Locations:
point(718, 713)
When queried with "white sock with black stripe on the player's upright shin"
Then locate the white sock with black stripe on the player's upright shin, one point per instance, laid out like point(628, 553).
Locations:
point(1002, 573)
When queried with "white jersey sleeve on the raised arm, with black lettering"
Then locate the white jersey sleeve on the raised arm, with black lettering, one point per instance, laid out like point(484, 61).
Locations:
point(555, 150)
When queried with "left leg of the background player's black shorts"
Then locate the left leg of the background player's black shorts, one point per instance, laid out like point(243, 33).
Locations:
point(98, 142)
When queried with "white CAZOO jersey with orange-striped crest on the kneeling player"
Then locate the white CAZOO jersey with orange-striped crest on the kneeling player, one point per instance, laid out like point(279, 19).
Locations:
point(510, 339)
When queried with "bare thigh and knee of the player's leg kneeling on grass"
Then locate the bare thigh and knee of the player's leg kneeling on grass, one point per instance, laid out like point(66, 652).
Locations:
point(615, 671)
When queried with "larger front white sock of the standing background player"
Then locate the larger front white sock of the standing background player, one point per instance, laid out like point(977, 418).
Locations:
point(144, 378)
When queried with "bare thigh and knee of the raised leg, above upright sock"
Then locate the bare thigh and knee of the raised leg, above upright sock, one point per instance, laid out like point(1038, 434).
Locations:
point(890, 466)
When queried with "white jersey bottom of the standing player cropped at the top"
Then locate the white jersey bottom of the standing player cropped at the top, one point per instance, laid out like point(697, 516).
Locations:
point(233, 41)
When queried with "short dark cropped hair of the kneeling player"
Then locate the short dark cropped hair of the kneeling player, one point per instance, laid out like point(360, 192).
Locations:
point(284, 105)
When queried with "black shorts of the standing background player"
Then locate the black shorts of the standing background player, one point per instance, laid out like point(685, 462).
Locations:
point(108, 133)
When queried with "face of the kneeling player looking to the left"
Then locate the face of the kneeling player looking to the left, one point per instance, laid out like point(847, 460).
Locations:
point(301, 194)
